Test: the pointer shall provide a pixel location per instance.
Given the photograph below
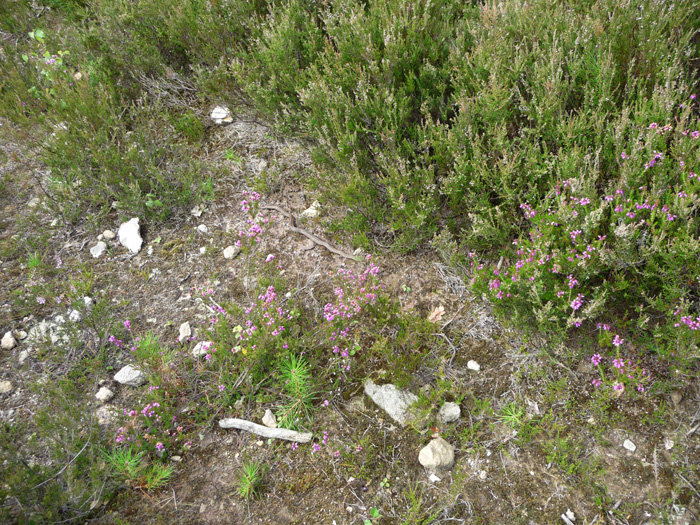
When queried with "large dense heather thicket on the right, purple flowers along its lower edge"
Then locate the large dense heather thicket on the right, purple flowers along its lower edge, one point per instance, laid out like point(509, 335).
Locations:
point(554, 141)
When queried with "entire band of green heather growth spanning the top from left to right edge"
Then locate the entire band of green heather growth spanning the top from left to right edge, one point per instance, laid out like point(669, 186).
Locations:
point(557, 140)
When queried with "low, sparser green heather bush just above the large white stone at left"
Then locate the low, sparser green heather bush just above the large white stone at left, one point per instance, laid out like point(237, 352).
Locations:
point(99, 153)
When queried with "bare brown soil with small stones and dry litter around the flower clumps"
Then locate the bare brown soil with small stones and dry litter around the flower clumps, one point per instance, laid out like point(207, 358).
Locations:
point(498, 477)
